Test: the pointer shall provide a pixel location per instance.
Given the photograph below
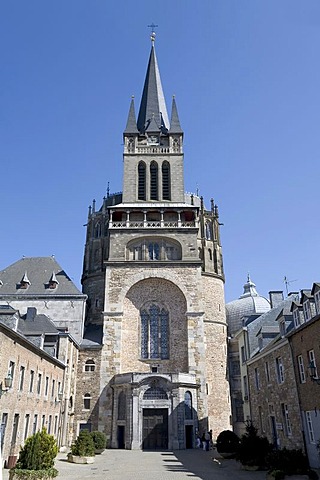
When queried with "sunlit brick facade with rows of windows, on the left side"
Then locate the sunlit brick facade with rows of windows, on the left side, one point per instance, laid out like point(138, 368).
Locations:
point(33, 400)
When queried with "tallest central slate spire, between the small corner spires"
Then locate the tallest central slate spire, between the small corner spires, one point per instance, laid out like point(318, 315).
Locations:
point(152, 101)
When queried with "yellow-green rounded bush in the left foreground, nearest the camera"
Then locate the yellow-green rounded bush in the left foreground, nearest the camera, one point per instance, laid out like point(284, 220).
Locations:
point(38, 453)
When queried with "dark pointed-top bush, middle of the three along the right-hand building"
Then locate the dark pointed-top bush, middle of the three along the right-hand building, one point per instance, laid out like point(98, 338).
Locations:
point(253, 449)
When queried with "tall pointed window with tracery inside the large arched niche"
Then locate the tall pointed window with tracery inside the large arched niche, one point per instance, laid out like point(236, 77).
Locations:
point(154, 333)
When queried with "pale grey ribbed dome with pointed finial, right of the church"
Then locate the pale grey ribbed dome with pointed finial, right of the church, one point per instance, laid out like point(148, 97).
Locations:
point(249, 303)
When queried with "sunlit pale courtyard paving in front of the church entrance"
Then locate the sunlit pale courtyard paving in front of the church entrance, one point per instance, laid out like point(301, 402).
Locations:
point(138, 465)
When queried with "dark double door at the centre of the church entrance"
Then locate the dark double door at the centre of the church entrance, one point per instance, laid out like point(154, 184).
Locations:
point(155, 429)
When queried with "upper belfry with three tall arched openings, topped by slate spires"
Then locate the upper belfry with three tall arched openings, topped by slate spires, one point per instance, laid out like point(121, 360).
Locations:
point(153, 146)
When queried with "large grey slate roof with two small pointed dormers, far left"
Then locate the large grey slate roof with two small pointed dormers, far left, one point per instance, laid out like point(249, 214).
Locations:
point(38, 271)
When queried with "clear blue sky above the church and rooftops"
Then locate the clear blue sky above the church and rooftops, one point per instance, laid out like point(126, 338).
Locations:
point(246, 78)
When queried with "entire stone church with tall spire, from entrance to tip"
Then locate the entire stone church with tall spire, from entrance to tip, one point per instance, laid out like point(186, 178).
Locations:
point(154, 355)
